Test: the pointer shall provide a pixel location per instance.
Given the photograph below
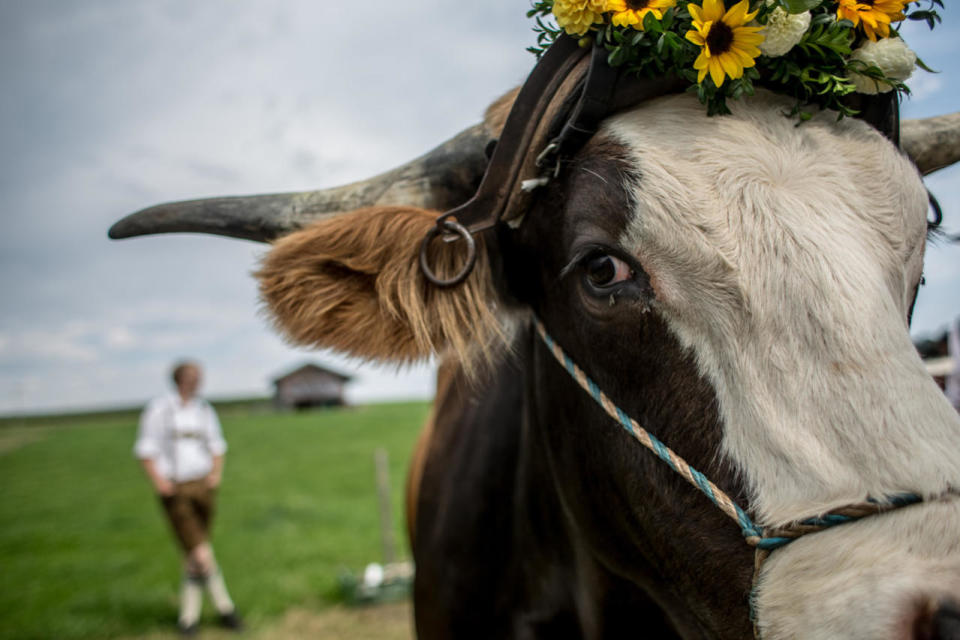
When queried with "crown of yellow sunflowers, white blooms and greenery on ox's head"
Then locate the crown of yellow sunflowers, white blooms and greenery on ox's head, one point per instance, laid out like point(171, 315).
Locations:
point(818, 51)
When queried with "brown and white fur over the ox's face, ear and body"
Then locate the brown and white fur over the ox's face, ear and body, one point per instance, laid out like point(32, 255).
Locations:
point(763, 335)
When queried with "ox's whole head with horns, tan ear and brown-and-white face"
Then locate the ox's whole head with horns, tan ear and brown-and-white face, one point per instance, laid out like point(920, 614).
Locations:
point(740, 285)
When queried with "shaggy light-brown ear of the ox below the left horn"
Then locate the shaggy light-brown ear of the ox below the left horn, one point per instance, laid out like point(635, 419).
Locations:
point(353, 283)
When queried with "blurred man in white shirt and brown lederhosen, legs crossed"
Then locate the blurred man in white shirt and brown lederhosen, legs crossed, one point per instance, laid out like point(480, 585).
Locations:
point(181, 448)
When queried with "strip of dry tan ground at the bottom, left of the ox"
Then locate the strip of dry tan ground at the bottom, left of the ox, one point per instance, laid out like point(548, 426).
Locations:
point(381, 622)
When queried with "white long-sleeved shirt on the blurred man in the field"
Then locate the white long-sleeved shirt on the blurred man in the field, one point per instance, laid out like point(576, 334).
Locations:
point(181, 439)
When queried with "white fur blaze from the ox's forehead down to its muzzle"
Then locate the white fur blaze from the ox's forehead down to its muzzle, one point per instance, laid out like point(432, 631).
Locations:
point(785, 259)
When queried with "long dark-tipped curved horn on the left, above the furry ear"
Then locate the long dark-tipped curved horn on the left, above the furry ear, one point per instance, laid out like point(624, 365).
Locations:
point(440, 179)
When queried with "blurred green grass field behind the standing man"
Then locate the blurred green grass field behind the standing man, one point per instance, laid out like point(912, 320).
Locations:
point(85, 553)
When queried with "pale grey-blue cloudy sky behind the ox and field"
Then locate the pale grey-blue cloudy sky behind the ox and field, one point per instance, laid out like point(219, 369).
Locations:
point(111, 106)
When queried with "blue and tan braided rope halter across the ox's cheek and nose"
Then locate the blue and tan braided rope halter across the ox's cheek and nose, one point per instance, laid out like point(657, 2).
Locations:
point(764, 540)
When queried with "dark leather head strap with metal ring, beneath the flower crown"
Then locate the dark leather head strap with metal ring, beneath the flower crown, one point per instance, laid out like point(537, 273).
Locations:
point(559, 108)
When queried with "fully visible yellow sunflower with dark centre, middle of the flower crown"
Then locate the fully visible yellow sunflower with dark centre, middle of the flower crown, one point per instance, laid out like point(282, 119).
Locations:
point(727, 46)
